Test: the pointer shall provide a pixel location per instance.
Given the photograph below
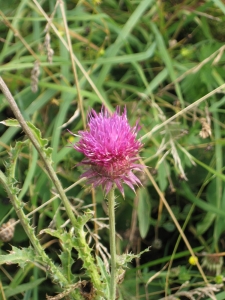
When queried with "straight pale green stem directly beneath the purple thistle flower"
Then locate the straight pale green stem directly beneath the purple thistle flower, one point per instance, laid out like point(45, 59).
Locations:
point(112, 238)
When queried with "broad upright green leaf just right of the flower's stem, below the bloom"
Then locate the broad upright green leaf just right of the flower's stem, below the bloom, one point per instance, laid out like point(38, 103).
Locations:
point(144, 211)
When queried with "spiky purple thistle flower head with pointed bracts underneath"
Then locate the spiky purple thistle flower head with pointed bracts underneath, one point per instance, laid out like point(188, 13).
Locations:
point(111, 150)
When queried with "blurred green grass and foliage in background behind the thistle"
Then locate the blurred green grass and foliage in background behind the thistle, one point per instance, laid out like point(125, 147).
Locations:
point(155, 57)
